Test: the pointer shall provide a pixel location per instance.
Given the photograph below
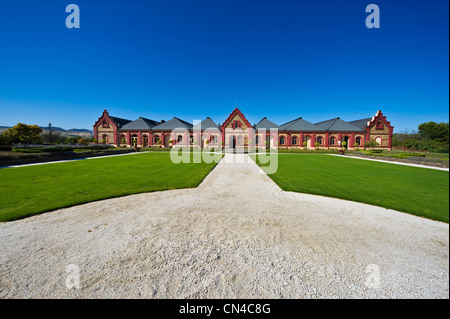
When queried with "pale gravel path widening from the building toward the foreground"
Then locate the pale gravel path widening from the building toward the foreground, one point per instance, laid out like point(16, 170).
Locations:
point(235, 236)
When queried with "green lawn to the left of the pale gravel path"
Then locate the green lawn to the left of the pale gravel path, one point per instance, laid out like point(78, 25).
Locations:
point(30, 190)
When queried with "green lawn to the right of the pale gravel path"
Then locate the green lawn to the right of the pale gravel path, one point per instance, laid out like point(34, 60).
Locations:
point(414, 190)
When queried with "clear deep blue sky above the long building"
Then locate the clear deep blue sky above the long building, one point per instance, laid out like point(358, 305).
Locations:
point(192, 59)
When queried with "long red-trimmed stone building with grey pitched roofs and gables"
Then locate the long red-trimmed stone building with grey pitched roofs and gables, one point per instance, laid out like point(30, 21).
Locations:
point(237, 132)
